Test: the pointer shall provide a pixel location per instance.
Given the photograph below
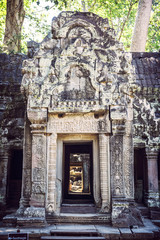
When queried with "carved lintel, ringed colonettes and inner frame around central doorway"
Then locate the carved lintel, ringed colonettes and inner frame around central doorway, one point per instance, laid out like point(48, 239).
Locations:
point(78, 128)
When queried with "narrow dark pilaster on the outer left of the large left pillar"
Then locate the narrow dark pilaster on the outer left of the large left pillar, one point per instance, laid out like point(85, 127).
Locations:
point(26, 173)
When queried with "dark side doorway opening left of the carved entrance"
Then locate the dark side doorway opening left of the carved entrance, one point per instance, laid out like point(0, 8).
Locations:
point(14, 178)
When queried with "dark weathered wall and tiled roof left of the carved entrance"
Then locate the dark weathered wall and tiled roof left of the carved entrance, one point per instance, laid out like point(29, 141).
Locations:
point(12, 107)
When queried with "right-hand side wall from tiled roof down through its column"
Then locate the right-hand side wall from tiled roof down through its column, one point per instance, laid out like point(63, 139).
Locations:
point(147, 121)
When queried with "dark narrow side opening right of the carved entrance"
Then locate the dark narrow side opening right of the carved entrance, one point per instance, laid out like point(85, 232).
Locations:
point(140, 173)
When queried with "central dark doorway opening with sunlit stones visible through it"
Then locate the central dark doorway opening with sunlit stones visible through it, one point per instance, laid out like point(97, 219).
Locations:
point(78, 173)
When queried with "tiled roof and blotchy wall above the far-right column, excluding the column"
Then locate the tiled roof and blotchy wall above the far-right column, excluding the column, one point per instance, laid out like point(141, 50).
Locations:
point(146, 100)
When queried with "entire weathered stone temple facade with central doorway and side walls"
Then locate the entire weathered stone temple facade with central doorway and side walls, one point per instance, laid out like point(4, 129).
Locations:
point(80, 130)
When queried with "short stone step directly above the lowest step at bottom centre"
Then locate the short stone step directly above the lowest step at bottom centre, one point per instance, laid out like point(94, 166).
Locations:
point(78, 232)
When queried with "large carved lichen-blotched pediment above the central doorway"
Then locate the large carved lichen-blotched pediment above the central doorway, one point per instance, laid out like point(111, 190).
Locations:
point(81, 68)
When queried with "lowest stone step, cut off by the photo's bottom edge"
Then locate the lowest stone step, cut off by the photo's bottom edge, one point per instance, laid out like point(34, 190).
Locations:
point(71, 238)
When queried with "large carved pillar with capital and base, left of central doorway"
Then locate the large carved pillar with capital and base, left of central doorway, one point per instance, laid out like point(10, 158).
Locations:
point(38, 119)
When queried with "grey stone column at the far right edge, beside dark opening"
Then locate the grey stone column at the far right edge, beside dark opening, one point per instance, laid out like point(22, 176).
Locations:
point(152, 194)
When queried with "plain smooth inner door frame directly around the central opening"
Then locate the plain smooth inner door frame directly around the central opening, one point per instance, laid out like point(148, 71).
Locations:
point(78, 138)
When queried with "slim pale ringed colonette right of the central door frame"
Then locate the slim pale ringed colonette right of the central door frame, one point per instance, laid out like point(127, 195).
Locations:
point(104, 172)
